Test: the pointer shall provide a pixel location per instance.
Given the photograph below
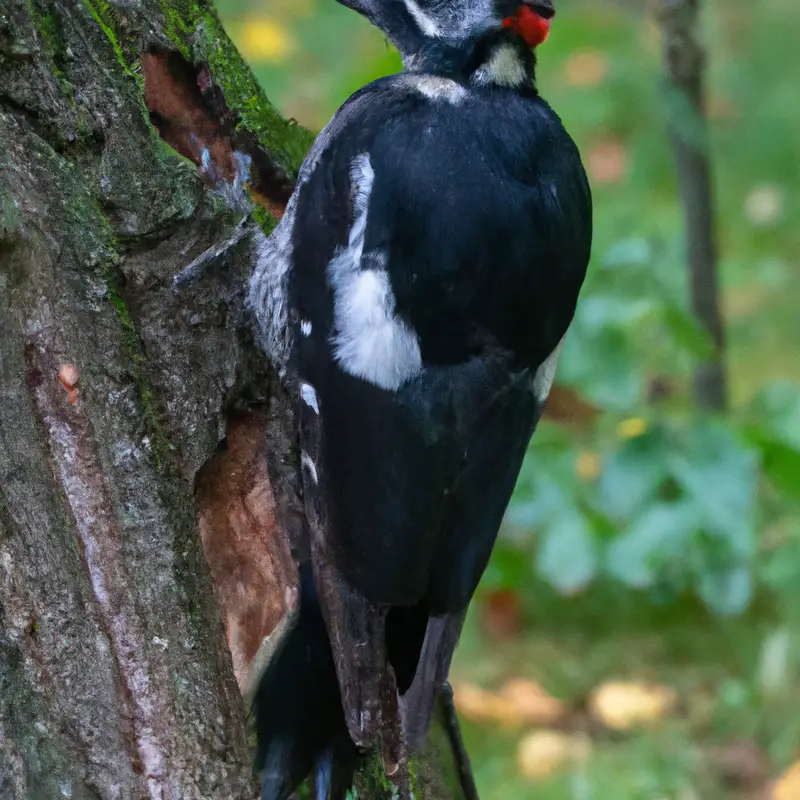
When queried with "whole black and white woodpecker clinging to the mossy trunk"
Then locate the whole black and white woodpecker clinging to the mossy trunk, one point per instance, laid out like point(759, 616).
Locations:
point(417, 292)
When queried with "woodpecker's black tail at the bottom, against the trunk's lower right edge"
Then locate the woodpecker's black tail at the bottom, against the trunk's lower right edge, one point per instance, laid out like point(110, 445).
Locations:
point(297, 707)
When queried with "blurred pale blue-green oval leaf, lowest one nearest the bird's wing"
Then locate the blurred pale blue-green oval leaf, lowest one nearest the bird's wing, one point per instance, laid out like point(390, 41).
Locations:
point(567, 556)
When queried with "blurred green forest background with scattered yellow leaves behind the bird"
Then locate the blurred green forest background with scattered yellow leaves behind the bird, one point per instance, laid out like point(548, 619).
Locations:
point(637, 634)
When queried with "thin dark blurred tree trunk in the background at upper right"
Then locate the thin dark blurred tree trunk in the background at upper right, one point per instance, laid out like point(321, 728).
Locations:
point(688, 128)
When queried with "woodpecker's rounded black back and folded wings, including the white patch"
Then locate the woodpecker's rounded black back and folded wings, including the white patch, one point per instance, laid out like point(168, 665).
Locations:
point(477, 217)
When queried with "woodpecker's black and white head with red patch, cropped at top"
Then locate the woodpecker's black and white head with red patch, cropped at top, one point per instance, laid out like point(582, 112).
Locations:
point(413, 24)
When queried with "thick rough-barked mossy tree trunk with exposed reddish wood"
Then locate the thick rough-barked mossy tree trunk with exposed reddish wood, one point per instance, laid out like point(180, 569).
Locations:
point(148, 476)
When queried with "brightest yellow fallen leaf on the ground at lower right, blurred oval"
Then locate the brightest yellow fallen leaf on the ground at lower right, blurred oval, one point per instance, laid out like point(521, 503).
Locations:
point(623, 706)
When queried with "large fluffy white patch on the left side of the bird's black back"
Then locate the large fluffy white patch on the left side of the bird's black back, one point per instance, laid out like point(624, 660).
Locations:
point(369, 340)
